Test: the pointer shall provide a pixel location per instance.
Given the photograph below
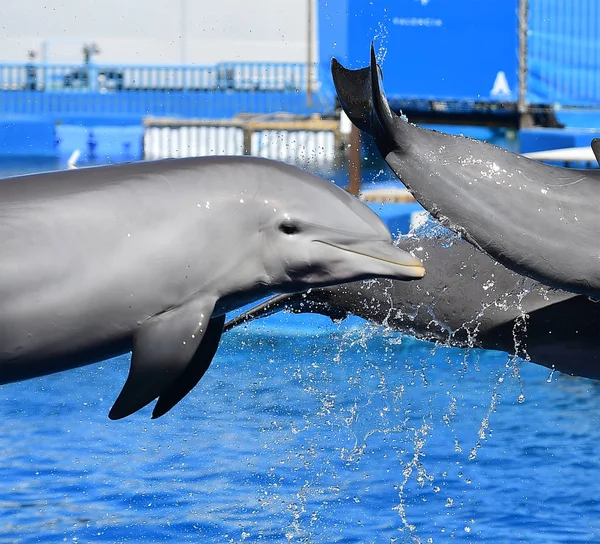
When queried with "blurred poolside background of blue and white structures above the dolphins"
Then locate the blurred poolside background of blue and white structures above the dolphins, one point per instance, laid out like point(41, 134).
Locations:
point(150, 79)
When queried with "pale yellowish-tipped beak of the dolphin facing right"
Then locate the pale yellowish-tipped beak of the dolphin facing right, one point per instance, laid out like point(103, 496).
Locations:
point(409, 267)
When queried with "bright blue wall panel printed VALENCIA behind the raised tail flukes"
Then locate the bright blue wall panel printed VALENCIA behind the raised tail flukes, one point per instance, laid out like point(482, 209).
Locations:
point(435, 49)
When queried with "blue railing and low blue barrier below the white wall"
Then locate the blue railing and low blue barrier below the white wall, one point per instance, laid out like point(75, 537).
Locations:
point(108, 126)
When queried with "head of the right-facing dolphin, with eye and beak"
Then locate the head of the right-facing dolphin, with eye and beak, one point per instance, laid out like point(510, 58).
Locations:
point(315, 234)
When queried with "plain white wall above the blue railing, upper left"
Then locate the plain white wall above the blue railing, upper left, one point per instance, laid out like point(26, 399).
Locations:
point(156, 31)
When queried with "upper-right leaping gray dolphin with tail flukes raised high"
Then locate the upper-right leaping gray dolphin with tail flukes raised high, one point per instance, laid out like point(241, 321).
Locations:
point(538, 220)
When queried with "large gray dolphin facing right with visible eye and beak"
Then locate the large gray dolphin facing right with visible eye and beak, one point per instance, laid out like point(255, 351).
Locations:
point(148, 257)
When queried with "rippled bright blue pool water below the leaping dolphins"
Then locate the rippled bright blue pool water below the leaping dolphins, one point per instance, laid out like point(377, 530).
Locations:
point(304, 430)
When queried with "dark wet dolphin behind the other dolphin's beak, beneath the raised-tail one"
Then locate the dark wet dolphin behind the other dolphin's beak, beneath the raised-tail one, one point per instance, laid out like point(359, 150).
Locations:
point(466, 300)
